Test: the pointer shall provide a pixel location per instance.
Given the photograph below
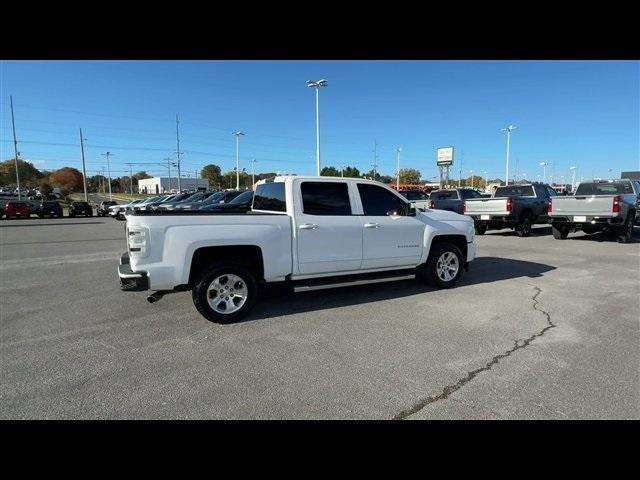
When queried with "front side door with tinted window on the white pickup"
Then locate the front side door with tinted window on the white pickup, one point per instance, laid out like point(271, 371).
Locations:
point(388, 240)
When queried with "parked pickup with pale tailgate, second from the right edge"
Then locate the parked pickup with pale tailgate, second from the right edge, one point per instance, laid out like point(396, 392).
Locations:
point(514, 206)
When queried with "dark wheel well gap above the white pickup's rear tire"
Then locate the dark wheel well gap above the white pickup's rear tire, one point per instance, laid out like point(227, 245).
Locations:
point(249, 256)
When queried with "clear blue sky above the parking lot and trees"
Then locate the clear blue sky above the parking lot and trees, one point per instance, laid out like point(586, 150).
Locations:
point(583, 113)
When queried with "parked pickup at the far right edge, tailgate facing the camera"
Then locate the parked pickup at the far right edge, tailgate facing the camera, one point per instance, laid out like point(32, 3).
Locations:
point(606, 205)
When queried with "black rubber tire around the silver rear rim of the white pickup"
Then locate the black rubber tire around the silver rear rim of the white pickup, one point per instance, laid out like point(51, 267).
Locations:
point(201, 285)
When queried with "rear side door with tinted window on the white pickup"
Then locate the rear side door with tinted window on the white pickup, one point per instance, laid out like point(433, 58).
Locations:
point(328, 235)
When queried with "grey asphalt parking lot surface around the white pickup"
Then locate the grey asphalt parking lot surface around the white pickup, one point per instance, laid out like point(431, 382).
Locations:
point(538, 329)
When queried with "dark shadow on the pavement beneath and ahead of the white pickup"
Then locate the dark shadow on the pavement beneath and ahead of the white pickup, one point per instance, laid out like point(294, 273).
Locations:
point(278, 302)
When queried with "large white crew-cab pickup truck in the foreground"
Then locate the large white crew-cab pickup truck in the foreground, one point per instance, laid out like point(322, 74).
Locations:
point(306, 232)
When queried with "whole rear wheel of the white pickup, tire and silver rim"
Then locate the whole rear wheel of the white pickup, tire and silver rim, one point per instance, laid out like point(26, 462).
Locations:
point(225, 292)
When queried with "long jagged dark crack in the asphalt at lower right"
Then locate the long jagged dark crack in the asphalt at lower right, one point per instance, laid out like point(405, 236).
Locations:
point(449, 389)
